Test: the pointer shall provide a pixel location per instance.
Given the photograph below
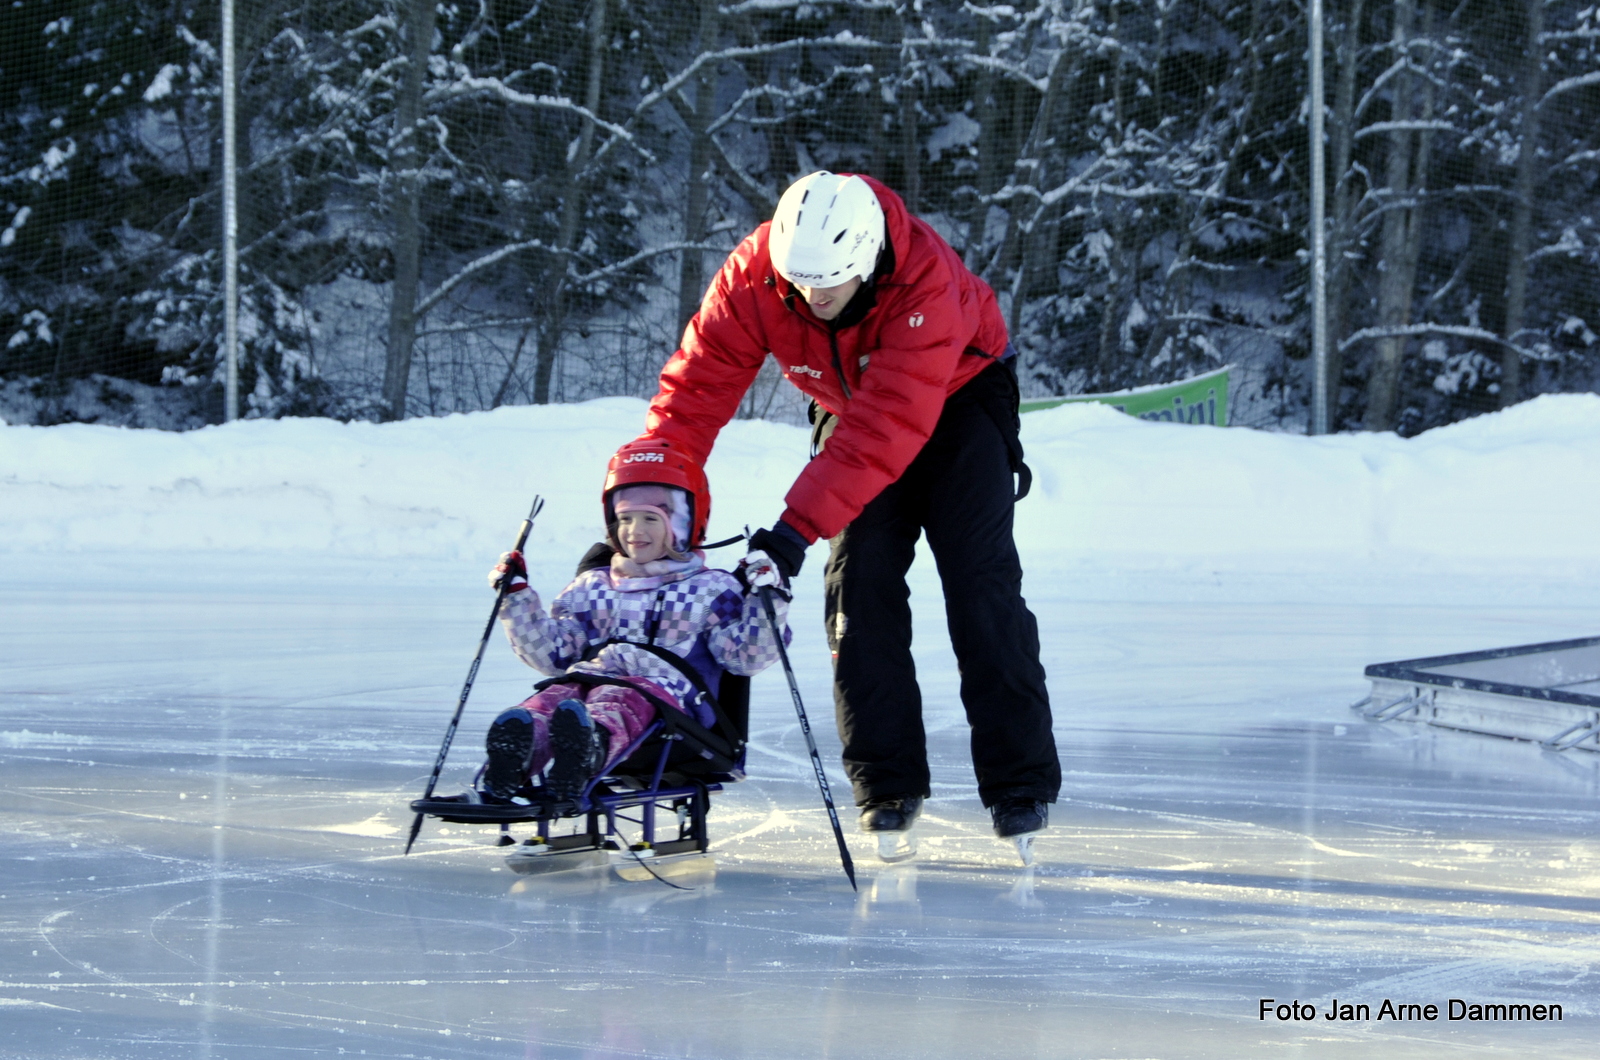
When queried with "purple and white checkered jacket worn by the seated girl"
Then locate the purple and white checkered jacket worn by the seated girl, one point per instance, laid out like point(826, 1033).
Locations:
point(700, 614)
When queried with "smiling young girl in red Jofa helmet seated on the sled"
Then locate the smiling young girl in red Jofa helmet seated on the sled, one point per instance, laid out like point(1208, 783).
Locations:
point(655, 592)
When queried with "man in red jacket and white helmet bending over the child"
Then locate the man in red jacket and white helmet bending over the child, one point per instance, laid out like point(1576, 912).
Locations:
point(916, 430)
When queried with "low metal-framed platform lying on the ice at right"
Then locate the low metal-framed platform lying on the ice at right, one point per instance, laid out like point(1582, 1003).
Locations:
point(1542, 693)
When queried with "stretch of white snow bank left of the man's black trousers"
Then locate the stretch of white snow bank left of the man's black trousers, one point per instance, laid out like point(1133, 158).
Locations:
point(423, 489)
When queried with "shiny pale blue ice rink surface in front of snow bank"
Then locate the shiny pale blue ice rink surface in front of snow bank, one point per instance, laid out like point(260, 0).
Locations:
point(206, 777)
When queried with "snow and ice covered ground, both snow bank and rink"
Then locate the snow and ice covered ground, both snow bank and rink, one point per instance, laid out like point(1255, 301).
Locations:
point(207, 761)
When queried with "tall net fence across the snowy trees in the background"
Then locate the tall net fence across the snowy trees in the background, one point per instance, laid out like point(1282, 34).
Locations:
point(454, 207)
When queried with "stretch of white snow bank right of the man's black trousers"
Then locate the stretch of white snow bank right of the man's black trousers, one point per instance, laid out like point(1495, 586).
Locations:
point(1519, 489)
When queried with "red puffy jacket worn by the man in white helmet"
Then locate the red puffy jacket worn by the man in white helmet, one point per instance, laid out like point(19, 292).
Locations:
point(935, 326)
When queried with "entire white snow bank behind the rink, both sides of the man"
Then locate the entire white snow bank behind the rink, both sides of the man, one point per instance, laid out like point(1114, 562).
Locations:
point(1510, 489)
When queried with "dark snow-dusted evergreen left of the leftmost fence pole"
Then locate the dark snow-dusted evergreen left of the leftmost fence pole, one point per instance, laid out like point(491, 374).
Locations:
point(90, 185)
